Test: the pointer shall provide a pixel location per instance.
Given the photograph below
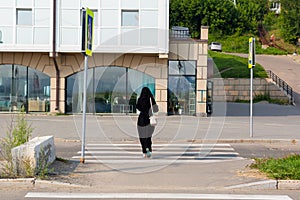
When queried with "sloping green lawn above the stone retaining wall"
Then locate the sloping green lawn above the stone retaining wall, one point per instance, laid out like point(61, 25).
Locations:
point(231, 66)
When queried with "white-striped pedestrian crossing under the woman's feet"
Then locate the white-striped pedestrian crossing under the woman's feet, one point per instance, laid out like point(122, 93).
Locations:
point(162, 153)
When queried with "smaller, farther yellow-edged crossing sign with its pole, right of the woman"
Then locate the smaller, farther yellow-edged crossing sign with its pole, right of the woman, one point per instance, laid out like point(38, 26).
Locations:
point(251, 65)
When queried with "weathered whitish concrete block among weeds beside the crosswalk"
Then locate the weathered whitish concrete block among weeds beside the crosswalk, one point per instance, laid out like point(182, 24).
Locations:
point(33, 151)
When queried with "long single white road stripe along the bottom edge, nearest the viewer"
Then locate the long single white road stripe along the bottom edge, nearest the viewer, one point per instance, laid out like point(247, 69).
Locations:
point(153, 196)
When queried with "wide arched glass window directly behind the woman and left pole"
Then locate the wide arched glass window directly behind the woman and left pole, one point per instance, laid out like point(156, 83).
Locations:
point(110, 90)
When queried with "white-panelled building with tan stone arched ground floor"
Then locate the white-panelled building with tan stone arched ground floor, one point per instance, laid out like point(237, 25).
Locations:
point(41, 64)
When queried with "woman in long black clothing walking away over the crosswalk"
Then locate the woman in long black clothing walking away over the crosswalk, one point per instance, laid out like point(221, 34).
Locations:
point(145, 130)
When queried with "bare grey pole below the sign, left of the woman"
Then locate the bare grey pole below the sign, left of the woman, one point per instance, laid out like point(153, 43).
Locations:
point(82, 159)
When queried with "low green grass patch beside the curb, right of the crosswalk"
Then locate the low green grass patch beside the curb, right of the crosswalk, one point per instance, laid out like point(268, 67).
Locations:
point(282, 168)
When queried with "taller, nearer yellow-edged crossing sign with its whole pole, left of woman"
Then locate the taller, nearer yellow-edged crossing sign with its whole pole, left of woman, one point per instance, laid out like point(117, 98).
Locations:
point(87, 43)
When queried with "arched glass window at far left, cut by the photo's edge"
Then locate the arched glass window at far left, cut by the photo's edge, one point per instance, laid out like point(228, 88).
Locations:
point(25, 88)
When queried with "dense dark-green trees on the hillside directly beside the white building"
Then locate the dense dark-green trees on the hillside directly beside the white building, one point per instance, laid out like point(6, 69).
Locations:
point(222, 17)
